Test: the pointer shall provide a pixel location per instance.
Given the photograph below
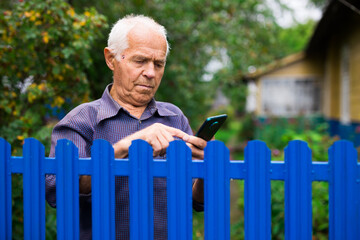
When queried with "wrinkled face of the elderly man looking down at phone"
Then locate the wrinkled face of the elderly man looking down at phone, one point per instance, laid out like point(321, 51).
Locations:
point(138, 74)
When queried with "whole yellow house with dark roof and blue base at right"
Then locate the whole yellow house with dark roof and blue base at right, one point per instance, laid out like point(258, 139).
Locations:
point(324, 79)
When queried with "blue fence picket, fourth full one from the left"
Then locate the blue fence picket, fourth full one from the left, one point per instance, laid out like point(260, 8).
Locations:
point(141, 190)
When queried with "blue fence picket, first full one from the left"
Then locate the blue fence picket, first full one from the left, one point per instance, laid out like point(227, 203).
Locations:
point(34, 190)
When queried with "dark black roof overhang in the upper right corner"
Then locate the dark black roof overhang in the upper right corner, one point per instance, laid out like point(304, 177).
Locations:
point(336, 16)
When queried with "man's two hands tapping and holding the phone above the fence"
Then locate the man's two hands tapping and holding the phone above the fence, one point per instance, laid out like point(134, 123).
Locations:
point(159, 137)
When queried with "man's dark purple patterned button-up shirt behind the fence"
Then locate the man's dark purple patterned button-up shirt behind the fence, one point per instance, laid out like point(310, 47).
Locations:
point(106, 119)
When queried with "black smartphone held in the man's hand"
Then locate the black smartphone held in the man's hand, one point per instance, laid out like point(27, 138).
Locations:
point(210, 126)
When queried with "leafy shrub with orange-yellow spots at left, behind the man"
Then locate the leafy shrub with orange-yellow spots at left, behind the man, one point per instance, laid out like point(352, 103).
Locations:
point(44, 51)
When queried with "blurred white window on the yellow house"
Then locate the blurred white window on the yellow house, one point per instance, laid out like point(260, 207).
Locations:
point(290, 96)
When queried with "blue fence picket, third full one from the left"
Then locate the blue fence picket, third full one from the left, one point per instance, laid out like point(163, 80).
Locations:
point(103, 190)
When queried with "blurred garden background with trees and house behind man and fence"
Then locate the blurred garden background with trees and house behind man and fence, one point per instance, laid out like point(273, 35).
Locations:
point(282, 70)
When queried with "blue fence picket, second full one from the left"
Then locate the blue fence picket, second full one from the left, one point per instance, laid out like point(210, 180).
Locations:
point(67, 190)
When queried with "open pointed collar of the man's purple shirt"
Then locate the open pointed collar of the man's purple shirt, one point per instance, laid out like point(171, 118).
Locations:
point(109, 107)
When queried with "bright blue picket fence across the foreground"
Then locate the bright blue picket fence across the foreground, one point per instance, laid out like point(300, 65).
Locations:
point(342, 172)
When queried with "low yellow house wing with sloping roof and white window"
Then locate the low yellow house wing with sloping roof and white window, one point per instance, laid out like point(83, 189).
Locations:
point(288, 87)
